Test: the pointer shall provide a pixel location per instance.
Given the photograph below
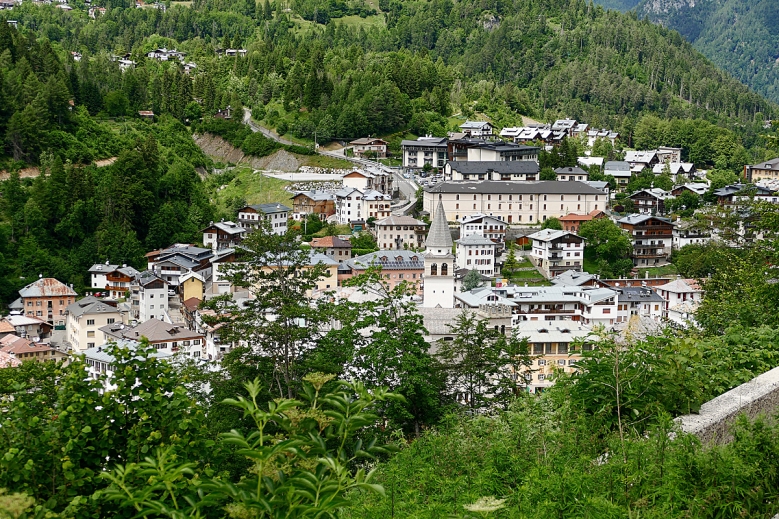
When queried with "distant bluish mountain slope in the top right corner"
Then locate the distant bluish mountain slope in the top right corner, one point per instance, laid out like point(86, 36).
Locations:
point(739, 36)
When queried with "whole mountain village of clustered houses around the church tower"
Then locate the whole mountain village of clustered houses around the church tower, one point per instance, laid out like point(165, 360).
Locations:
point(482, 203)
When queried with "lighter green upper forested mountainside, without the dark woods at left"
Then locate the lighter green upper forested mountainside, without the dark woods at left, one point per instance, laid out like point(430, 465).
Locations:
point(410, 66)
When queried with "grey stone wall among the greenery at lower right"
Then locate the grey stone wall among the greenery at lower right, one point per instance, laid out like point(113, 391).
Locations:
point(714, 422)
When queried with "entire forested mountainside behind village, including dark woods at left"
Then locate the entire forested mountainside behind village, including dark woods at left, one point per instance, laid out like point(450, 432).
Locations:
point(347, 70)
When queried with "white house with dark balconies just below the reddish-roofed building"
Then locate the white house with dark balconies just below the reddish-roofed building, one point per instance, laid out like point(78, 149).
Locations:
point(556, 251)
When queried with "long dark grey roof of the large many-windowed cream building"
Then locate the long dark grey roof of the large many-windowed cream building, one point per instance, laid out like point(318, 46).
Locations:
point(543, 187)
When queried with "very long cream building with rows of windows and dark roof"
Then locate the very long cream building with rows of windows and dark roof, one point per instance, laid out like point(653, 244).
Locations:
point(515, 202)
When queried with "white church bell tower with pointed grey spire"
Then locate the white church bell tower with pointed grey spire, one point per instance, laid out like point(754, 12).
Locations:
point(439, 263)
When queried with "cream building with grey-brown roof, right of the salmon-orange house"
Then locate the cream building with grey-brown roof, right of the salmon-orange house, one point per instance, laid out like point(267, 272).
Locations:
point(83, 322)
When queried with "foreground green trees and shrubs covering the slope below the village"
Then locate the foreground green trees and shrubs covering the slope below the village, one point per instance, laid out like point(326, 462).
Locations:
point(285, 430)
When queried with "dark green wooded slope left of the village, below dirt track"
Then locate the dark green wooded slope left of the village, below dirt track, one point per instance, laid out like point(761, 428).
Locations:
point(70, 217)
